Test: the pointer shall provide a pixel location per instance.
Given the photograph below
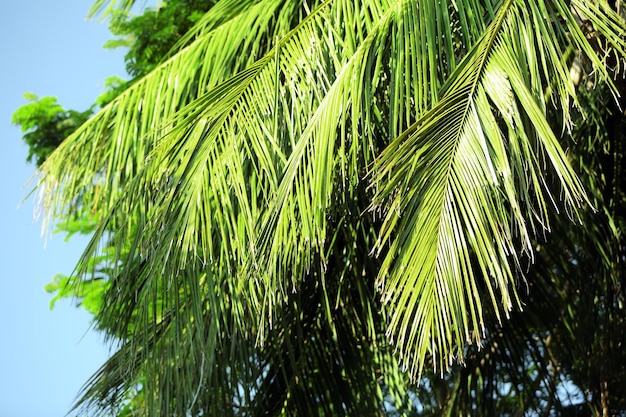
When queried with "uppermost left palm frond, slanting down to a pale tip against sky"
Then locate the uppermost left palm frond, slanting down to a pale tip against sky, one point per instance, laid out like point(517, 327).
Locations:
point(116, 141)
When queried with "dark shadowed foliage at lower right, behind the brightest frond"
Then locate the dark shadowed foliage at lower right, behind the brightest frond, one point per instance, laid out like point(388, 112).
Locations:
point(562, 353)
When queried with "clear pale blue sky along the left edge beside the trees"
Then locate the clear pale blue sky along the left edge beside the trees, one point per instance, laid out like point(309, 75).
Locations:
point(47, 48)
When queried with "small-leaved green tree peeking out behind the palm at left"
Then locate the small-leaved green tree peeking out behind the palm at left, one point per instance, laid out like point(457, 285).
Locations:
point(46, 123)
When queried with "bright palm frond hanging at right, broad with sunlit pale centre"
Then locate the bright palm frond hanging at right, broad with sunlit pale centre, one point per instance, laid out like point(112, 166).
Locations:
point(466, 182)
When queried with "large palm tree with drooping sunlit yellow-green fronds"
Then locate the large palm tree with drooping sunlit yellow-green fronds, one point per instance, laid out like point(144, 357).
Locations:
point(313, 202)
